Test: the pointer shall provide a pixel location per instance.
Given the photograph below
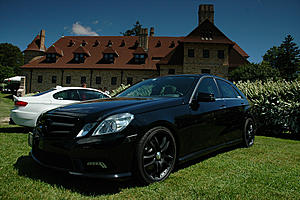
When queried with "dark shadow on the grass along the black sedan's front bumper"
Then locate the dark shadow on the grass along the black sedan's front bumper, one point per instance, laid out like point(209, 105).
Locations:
point(27, 167)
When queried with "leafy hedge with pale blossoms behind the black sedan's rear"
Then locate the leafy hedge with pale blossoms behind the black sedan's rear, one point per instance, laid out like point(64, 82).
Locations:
point(275, 105)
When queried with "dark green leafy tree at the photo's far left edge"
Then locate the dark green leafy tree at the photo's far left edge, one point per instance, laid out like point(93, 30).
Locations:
point(11, 58)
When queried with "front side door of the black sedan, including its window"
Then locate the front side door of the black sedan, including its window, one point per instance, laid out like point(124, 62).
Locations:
point(204, 130)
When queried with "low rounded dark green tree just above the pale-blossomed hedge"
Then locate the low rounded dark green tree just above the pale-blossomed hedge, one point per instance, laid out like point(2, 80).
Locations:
point(252, 72)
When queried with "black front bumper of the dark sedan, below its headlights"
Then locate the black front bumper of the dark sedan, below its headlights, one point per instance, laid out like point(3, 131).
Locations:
point(91, 158)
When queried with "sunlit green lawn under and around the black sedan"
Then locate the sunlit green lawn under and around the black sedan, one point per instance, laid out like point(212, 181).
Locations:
point(268, 170)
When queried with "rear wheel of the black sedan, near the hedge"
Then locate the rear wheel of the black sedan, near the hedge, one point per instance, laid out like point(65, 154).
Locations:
point(249, 133)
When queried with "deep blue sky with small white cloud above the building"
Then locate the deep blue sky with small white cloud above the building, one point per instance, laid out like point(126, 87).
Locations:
point(256, 25)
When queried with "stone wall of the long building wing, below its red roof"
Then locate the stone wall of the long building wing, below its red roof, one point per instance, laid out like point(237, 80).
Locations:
point(33, 85)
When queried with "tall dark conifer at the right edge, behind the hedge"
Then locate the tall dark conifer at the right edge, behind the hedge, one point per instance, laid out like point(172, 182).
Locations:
point(286, 58)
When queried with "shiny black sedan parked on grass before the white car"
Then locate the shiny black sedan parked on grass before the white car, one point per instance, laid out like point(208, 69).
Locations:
point(145, 130)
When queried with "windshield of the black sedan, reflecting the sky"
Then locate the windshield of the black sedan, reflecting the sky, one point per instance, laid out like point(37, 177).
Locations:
point(169, 86)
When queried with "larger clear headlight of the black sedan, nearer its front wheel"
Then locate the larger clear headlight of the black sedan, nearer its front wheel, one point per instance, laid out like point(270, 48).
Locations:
point(113, 124)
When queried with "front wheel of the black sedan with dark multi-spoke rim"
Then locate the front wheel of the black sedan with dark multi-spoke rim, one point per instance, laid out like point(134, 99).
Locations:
point(156, 155)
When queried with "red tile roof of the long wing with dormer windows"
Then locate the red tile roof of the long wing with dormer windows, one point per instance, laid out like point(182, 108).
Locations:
point(125, 52)
